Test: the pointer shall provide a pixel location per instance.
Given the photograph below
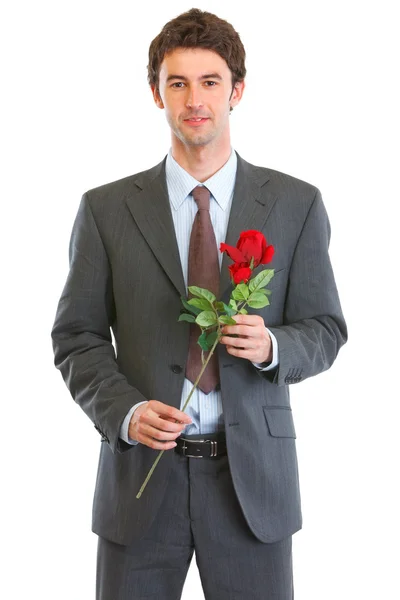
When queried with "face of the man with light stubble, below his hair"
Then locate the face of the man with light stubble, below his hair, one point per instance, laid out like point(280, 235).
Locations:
point(195, 89)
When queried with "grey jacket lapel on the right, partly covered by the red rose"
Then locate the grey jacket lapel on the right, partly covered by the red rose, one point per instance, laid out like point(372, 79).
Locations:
point(251, 205)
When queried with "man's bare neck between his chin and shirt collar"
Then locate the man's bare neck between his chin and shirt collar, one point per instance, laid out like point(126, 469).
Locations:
point(201, 162)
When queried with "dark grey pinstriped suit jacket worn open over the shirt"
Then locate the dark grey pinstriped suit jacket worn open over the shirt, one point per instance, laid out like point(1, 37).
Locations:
point(125, 274)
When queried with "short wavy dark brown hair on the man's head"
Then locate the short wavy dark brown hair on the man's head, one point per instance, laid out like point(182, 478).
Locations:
point(198, 29)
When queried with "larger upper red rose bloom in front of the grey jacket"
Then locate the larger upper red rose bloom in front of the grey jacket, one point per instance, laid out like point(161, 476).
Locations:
point(251, 244)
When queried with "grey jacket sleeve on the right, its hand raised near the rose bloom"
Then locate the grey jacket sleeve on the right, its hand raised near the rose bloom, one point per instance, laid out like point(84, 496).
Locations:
point(313, 329)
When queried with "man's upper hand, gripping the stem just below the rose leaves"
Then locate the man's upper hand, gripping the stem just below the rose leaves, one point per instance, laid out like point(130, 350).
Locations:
point(253, 341)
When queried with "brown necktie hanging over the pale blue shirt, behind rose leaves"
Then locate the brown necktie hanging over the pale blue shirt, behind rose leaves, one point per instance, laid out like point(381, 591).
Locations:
point(203, 272)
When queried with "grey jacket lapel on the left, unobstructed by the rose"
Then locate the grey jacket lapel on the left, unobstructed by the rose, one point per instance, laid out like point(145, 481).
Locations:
point(151, 211)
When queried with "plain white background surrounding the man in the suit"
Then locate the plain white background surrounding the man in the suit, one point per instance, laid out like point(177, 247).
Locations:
point(320, 104)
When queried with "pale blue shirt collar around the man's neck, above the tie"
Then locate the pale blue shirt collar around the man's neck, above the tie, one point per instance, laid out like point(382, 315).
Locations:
point(180, 183)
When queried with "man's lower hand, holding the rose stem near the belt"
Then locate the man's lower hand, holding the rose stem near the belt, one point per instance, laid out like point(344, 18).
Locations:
point(156, 421)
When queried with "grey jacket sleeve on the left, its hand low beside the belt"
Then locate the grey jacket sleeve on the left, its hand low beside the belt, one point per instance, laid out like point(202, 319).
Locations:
point(82, 344)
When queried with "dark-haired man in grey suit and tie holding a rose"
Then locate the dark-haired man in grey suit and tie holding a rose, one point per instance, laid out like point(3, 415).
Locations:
point(230, 487)
